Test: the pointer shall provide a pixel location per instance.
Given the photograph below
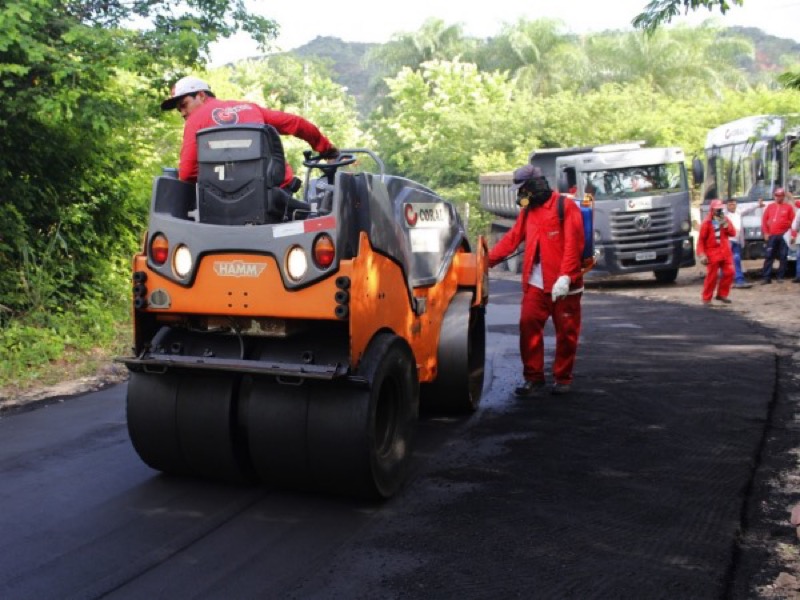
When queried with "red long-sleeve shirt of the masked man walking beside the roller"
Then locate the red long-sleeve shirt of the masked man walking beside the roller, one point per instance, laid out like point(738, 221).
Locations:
point(559, 247)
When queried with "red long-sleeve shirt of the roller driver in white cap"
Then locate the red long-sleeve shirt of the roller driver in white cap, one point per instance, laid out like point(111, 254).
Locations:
point(214, 112)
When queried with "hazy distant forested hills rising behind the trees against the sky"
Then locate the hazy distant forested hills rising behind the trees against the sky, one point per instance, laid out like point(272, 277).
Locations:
point(348, 67)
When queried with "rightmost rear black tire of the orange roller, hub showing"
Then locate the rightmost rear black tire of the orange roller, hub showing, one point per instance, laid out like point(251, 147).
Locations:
point(360, 440)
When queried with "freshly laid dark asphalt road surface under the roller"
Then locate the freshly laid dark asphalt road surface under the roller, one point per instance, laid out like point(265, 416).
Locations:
point(639, 484)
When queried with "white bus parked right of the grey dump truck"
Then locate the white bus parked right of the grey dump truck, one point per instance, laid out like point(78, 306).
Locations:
point(747, 159)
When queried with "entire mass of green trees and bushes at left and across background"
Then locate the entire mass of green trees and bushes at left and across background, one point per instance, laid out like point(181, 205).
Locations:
point(83, 136)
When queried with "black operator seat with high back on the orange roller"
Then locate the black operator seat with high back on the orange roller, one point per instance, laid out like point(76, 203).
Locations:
point(240, 170)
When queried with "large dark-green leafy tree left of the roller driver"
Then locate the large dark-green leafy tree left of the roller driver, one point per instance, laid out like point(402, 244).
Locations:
point(77, 108)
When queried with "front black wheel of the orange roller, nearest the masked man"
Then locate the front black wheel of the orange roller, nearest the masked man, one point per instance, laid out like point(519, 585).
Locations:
point(460, 358)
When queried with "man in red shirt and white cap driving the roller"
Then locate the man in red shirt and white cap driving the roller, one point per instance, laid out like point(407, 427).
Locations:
point(200, 109)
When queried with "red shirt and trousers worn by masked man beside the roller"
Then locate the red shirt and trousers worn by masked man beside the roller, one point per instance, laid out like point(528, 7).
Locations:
point(559, 249)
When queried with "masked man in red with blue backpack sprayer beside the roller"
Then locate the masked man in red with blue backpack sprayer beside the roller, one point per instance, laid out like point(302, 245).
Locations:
point(552, 282)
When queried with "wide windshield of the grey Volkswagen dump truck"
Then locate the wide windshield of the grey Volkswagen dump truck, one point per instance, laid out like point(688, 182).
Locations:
point(645, 180)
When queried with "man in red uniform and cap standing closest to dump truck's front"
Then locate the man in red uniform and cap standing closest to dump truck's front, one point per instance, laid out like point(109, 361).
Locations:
point(714, 251)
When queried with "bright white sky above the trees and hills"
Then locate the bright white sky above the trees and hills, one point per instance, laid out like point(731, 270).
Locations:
point(376, 21)
